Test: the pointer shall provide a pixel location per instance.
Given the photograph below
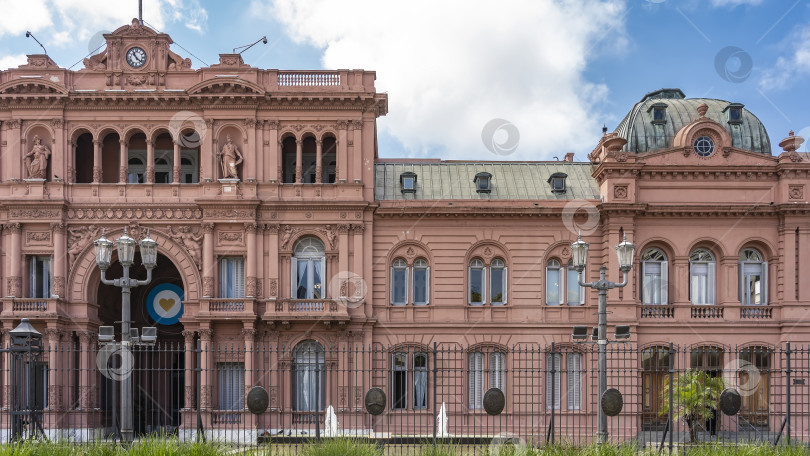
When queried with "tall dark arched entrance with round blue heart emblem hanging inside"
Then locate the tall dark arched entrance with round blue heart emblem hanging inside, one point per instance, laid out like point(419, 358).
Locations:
point(158, 374)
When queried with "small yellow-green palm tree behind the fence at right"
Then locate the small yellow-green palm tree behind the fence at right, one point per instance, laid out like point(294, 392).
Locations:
point(694, 398)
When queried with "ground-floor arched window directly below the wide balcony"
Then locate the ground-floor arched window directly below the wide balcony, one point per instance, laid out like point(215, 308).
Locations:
point(308, 385)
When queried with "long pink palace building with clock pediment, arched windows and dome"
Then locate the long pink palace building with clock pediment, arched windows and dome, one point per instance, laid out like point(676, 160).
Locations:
point(281, 227)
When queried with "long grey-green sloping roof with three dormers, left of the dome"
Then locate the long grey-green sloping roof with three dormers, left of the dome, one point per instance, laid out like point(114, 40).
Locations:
point(510, 180)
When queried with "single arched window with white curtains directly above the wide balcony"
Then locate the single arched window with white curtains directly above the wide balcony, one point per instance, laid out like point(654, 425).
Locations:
point(308, 269)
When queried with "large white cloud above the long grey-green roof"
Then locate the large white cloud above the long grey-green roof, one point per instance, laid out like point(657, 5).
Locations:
point(449, 67)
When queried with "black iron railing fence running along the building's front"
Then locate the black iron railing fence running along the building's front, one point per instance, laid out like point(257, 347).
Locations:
point(410, 395)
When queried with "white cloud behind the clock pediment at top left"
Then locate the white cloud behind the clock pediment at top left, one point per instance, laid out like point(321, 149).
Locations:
point(64, 22)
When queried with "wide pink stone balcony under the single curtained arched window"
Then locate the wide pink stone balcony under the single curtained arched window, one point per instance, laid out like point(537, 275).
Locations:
point(287, 311)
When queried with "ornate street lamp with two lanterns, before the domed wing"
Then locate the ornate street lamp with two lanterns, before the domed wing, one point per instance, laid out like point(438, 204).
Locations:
point(625, 251)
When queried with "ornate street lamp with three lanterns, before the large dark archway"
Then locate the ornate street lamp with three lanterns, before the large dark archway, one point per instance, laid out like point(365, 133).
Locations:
point(126, 256)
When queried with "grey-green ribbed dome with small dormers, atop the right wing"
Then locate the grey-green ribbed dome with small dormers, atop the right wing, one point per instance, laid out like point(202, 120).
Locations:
point(654, 121)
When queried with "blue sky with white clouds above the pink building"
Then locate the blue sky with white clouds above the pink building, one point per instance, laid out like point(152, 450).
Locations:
point(556, 70)
